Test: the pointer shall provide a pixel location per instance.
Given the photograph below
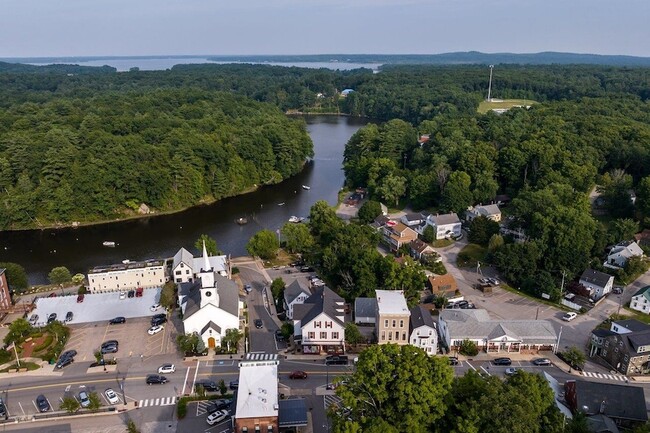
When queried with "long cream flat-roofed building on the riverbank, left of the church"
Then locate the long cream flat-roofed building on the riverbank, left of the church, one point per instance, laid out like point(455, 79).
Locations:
point(127, 275)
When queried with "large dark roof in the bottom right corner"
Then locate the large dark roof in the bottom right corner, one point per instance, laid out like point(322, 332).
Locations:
point(615, 401)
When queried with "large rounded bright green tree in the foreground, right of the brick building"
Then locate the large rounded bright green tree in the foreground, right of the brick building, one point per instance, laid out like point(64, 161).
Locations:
point(384, 372)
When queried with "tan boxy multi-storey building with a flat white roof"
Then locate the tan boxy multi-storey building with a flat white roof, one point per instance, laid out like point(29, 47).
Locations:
point(392, 317)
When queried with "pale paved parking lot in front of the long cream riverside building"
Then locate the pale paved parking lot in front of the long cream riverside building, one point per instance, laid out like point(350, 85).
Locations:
point(96, 307)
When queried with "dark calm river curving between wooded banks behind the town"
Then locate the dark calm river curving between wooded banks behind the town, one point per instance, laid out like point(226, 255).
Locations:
point(157, 237)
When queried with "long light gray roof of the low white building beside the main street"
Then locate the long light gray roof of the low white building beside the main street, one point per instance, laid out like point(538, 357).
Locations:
point(476, 324)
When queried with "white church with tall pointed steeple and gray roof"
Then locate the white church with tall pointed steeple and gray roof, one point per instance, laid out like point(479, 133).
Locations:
point(210, 304)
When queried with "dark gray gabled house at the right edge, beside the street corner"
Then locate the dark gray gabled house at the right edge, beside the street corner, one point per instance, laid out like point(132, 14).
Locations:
point(626, 347)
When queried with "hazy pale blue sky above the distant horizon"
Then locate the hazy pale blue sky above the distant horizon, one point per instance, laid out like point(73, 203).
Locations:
point(30, 28)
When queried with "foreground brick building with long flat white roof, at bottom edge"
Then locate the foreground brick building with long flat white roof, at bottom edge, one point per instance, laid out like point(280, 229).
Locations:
point(257, 400)
